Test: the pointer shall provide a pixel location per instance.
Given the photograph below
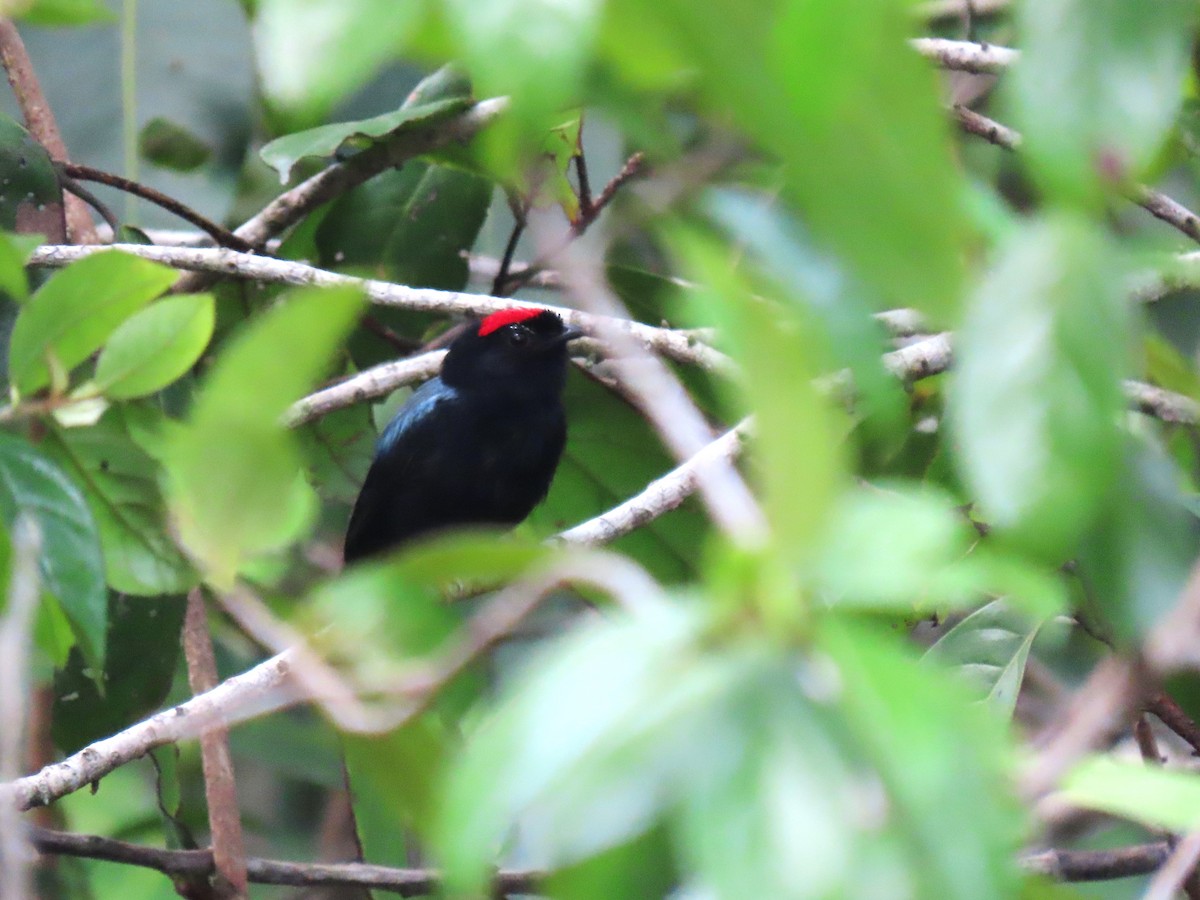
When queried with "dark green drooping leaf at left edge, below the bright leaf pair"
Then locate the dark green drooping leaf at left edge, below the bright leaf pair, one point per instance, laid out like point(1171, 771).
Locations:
point(73, 567)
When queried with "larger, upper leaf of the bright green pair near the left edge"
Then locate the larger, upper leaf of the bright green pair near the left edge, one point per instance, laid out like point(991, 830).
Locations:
point(76, 311)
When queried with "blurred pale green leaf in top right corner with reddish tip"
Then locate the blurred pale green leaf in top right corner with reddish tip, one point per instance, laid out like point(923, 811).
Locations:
point(1090, 107)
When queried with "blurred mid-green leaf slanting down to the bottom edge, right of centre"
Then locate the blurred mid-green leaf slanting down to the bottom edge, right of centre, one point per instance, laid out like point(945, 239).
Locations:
point(916, 727)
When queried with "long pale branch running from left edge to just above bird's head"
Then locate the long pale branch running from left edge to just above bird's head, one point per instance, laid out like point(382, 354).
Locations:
point(670, 344)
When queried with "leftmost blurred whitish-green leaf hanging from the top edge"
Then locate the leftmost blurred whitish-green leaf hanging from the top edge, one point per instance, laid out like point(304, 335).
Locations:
point(314, 53)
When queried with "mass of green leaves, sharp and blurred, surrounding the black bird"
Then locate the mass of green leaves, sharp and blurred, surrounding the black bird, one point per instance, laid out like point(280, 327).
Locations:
point(818, 695)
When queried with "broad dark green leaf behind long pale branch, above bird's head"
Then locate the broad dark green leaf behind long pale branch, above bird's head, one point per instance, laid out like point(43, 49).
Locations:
point(410, 226)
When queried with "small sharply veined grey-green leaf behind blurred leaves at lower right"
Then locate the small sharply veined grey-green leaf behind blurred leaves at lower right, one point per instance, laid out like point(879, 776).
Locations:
point(989, 649)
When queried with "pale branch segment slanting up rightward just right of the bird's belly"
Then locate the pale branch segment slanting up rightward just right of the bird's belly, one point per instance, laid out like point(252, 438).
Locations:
point(661, 496)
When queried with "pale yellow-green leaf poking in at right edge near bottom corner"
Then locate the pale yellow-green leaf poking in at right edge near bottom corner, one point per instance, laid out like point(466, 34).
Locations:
point(1155, 796)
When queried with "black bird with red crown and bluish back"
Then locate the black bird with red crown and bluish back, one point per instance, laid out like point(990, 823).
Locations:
point(477, 446)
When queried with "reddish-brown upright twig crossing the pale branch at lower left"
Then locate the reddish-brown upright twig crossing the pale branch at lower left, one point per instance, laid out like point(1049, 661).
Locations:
point(220, 785)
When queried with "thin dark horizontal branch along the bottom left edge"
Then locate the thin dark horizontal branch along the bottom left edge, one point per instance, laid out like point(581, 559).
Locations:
point(199, 863)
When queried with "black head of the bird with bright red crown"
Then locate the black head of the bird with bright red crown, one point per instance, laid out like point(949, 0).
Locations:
point(520, 349)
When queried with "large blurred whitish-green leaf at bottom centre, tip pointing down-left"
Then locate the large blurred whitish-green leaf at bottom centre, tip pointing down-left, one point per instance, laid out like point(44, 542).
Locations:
point(586, 754)
